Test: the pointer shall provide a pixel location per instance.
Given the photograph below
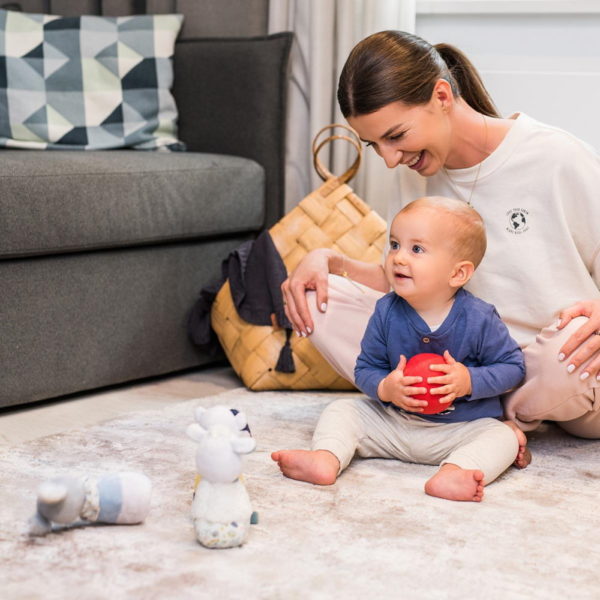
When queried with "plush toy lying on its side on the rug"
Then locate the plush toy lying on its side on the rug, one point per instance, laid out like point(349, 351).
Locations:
point(118, 498)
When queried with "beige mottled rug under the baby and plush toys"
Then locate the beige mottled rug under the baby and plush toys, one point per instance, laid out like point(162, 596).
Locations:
point(374, 534)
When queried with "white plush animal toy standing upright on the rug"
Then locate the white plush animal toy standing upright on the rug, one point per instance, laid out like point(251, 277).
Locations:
point(221, 508)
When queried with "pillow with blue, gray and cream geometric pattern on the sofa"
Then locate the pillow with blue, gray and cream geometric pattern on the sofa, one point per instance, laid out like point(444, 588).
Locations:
point(87, 83)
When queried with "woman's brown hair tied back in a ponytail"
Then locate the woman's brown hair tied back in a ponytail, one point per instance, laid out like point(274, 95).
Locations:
point(392, 66)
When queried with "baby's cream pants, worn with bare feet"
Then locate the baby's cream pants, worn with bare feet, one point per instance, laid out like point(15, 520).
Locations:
point(365, 427)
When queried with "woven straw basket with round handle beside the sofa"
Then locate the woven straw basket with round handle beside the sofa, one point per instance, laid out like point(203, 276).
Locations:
point(332, 216)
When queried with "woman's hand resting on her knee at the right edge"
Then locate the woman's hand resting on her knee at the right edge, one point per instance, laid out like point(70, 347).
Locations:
point(585, 341)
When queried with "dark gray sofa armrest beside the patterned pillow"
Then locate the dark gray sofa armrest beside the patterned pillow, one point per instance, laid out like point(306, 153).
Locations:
point(231, 97)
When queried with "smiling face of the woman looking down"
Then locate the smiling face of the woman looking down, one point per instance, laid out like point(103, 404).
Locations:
point(415, 136)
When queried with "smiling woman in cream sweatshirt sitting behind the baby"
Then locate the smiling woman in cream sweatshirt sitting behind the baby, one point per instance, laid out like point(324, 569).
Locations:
point(424, 108)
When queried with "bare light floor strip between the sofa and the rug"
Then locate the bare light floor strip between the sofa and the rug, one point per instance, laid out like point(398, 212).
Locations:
point(40, 419)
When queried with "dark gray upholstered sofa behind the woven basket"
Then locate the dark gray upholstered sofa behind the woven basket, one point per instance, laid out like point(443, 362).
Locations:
point(102, 254)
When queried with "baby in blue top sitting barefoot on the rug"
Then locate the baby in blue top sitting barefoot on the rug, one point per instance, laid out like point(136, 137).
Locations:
point(435, 246)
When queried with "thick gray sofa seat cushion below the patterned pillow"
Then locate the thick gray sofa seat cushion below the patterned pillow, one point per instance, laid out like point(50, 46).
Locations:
point(55, 202)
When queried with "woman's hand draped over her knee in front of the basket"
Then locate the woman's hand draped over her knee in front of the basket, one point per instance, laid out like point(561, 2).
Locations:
point(310, 274)
